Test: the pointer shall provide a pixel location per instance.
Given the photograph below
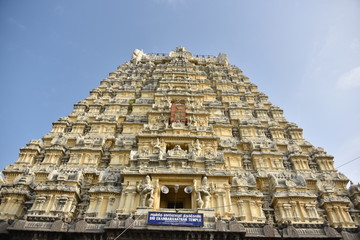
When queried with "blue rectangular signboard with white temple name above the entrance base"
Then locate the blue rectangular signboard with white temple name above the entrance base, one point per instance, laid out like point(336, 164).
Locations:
point(180, 219)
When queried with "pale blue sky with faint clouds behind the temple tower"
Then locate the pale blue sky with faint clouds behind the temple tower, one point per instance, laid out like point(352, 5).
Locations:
point(305, 55)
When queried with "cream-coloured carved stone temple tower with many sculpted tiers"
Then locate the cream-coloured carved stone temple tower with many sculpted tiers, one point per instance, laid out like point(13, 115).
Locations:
point(176, 146)
